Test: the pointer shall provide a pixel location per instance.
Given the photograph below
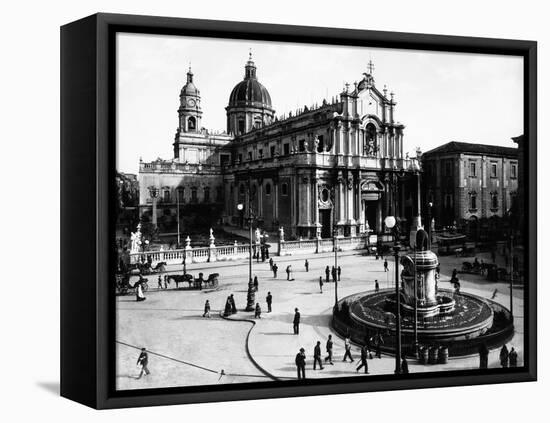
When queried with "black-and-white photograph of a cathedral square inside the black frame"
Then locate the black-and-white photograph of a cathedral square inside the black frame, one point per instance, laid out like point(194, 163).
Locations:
point(291, 211)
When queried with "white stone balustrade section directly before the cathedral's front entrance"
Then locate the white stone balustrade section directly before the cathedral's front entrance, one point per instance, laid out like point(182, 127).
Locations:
point(322, 245)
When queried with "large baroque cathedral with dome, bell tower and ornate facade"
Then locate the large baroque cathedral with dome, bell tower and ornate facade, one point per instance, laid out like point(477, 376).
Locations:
point(337, 168)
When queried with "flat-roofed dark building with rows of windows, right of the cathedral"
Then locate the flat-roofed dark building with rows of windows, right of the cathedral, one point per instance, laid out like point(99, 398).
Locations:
point(469, 182)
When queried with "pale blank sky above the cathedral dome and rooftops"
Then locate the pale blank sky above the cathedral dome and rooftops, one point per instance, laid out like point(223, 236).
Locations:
point(440, 96)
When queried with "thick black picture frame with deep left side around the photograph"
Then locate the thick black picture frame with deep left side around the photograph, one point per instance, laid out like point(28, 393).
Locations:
point(87, 167)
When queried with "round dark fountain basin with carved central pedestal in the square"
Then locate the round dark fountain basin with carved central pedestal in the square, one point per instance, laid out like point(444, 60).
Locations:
point(459, 321)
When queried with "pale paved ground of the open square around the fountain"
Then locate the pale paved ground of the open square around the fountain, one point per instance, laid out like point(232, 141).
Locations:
point(186, 349)
